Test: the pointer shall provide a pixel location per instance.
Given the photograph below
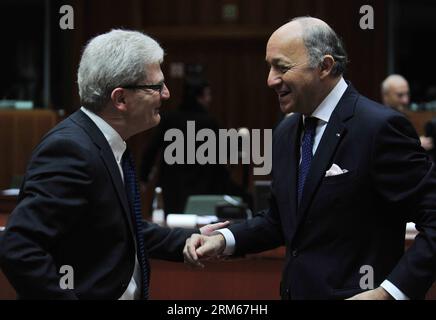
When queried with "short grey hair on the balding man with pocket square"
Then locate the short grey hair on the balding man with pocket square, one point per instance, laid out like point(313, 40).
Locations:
point(320, 40)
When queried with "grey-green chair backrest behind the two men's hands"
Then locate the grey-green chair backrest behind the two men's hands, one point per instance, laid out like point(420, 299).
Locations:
point(206, 204)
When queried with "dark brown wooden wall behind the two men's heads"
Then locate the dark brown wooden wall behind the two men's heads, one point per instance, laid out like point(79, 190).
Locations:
point(193, 31)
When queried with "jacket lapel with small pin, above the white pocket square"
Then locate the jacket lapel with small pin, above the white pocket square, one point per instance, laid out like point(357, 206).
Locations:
point(333, 135)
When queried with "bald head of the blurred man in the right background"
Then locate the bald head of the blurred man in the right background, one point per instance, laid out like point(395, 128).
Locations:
point(396, 92)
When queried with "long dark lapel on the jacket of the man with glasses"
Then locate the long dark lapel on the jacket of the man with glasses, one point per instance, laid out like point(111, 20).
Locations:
point(107, 155)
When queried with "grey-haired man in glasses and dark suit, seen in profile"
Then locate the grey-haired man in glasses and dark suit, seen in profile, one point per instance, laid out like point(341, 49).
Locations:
point(78, 213)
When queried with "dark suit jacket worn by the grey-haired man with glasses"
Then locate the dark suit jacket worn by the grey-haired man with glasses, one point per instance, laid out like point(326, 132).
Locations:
point(73, 210)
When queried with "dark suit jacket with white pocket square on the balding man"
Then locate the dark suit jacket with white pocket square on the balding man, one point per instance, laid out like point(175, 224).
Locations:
point(355, 219)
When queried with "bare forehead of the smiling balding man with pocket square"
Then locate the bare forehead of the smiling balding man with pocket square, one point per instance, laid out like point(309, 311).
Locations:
point(281, 48)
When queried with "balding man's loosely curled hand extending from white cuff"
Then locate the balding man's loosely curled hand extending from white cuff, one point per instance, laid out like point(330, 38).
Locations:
point(200, 246)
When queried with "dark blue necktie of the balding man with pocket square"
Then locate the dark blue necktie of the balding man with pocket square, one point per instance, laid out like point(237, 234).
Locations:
point(306, 153)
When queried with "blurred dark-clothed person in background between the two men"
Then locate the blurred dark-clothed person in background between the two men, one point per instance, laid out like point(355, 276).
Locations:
point(179, 181)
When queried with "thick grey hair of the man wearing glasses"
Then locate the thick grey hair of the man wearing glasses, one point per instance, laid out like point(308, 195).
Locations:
point(113, 59)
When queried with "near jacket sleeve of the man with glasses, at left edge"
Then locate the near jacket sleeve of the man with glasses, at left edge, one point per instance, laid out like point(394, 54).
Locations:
point(52, 198)
